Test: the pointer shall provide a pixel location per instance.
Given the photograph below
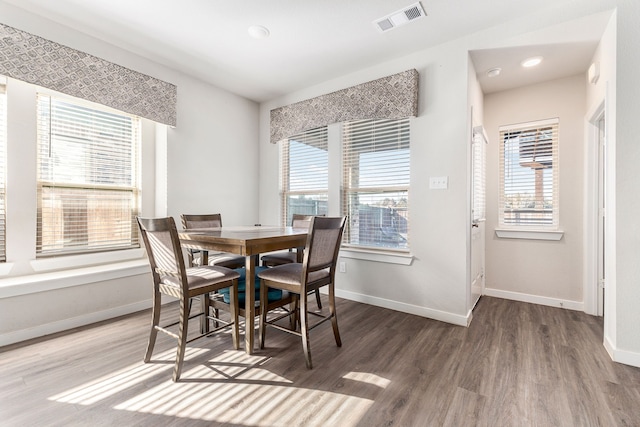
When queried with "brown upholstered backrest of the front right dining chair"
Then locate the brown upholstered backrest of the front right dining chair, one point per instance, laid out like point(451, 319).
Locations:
point(323, 244)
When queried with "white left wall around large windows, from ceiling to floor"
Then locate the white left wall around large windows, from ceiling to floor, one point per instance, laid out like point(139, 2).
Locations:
point(212, 165)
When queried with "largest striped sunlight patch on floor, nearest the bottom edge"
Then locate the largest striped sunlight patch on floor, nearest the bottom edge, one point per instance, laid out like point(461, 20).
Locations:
point(258, 399)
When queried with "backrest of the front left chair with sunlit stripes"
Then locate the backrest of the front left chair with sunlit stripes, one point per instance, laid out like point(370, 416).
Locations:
point(162, 243)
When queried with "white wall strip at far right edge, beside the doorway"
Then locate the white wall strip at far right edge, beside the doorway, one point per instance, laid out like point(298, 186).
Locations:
point(625, 343)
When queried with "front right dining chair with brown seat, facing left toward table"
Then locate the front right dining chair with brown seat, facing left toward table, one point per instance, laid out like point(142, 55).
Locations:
point(317, 270)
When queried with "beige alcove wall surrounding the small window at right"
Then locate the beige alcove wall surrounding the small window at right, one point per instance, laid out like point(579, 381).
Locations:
point(539, 268)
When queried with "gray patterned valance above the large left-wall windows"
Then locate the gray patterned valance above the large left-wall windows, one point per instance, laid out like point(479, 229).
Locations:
point(32, 59)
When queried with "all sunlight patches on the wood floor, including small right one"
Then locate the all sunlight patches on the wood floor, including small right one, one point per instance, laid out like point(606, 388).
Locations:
point(231, 387)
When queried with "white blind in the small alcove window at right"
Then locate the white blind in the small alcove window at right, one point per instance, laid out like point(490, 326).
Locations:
point(529, 175)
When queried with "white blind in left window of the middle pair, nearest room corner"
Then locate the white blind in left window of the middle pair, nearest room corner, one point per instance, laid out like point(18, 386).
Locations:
point(304, 174)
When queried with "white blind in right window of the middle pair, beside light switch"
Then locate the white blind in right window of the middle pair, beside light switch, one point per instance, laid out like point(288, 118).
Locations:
point(376, 182)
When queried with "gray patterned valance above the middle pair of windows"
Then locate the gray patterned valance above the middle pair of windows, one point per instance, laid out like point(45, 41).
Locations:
point(392, 97)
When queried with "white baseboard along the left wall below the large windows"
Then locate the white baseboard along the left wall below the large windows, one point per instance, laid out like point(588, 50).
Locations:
point(74, 322)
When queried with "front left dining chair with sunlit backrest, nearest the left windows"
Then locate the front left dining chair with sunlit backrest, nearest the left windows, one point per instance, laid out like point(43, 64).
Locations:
point(171, 277)
